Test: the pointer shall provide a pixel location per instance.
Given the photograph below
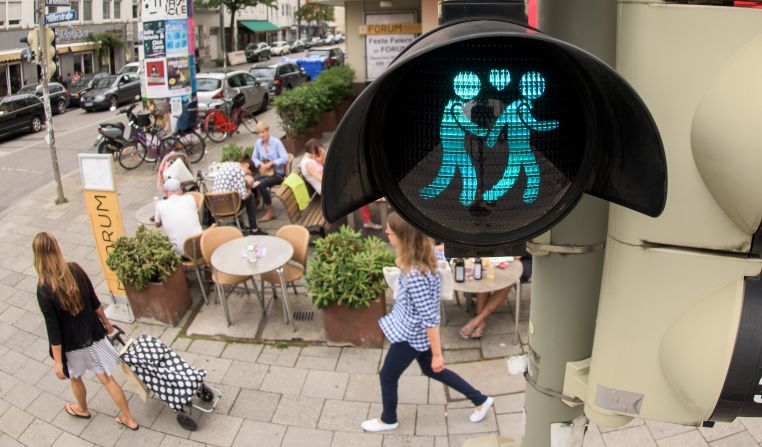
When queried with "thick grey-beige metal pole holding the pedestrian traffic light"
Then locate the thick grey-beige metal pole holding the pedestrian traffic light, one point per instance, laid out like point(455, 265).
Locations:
point(568, 261)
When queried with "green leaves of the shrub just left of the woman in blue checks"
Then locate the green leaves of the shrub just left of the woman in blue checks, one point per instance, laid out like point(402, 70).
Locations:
point(347, 269)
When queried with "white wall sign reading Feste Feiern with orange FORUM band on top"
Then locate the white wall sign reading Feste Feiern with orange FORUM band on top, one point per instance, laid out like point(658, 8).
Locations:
point(381, 44)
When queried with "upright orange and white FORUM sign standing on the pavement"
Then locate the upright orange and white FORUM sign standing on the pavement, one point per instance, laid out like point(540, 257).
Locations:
point(102, 203)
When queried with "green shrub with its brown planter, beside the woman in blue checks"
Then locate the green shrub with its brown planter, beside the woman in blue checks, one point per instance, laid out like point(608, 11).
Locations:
point(345, 280)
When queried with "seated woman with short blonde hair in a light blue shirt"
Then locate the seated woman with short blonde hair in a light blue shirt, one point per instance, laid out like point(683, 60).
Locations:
point(270, 158)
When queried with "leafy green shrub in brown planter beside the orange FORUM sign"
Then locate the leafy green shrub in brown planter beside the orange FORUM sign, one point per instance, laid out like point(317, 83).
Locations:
point(149, 269)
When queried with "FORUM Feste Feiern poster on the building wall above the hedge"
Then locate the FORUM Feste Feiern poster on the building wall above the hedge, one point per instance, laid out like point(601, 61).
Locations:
point(381, 49)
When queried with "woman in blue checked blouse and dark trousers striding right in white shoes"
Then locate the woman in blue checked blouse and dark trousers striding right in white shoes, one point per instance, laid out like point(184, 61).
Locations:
point(412, 326)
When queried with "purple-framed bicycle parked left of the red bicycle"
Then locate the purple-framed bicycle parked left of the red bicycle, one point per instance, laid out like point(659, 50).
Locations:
point(147, 146)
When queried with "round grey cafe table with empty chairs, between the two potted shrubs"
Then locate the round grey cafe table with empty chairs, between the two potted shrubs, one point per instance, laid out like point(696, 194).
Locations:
point(232, 258)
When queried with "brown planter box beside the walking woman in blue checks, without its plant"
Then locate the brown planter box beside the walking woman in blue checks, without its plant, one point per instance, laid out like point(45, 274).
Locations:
point(356, 327)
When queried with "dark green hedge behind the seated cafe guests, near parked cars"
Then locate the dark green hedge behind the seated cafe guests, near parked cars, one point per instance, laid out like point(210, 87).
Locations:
point(299, 109)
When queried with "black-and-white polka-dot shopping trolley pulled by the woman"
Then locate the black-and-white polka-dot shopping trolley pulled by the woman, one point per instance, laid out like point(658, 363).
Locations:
point(169, 377)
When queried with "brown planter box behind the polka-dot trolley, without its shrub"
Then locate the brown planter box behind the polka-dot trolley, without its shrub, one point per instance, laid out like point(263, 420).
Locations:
point(163, 302)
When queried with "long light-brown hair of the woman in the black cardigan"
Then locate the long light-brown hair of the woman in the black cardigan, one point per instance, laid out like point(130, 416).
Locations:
point(53, 271)
